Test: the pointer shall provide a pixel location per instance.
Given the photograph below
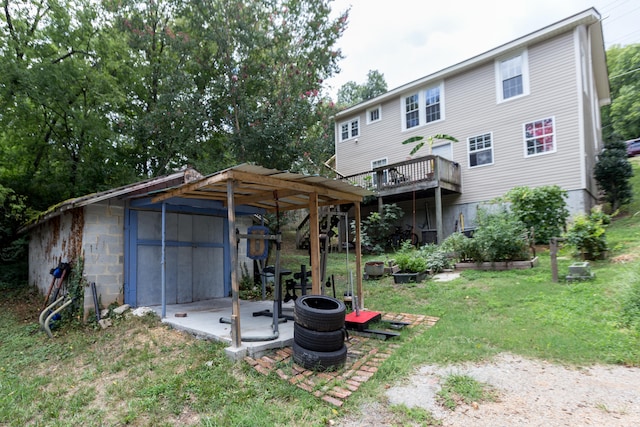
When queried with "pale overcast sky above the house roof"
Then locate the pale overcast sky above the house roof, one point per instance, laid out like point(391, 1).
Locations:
point(409, 39)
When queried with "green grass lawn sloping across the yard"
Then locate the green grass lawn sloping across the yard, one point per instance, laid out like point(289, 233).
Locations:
point(141, 373)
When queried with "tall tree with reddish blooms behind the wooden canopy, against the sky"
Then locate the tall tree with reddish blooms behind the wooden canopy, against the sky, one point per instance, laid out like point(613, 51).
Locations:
point(272, 58)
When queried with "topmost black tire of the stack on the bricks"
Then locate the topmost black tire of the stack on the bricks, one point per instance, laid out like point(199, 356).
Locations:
point(319, 313)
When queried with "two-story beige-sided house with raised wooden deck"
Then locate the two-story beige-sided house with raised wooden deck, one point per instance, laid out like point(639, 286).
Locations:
point(526, 113)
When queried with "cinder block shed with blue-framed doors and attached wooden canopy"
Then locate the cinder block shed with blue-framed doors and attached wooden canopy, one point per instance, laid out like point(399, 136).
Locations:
point(172, 239)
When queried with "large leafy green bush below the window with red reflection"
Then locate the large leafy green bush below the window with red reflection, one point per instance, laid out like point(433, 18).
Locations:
point(542, 208)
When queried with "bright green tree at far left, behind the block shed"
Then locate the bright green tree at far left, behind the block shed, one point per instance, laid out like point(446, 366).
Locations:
point(56, 98)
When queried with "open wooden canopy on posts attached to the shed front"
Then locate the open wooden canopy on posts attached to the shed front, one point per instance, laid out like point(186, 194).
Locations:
point(274, 190)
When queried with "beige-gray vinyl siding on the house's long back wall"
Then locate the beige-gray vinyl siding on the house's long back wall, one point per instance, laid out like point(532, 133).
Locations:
point(471, 109)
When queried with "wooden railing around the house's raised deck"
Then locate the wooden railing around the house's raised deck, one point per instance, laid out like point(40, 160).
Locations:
point(409, 173)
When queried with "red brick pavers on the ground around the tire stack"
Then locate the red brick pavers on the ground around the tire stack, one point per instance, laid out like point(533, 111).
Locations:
point(364, 356)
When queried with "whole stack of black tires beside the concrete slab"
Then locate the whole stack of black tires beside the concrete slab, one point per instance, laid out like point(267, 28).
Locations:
point(318, 333)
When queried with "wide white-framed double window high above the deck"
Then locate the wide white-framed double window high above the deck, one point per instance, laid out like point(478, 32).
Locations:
point(424, 106)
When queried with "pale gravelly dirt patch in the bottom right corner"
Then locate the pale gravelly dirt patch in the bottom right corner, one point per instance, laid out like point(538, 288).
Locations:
point(531, 393)
